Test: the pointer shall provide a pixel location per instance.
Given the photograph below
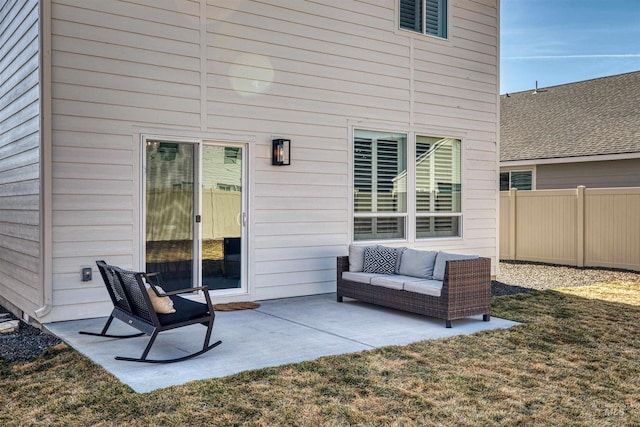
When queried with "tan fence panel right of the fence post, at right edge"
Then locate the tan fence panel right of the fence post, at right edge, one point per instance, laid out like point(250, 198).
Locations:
point(612, 228)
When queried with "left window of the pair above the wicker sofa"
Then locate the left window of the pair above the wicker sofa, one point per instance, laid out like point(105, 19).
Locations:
point(380, 198)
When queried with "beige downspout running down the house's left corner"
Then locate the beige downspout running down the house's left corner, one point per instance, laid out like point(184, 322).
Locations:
point(46, 187)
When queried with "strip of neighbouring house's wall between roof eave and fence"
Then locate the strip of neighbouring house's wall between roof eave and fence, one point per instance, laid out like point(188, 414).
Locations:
point(605, 174)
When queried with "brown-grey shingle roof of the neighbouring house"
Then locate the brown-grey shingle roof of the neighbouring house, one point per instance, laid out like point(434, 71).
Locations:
point(588, 118)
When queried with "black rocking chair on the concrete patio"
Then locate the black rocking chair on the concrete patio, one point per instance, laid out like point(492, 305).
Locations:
point(132, 305)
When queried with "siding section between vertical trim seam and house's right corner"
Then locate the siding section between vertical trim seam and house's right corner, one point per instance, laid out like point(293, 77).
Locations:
point(455, 88)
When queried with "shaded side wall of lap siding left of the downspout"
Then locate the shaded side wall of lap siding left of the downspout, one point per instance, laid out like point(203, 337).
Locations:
point(20, 232)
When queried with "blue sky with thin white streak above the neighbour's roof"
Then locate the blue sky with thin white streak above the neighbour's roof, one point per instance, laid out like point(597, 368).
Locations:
point(563, 41)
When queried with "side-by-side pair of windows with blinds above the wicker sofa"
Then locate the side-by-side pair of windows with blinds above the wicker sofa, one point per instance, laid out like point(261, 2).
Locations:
point(381, 185)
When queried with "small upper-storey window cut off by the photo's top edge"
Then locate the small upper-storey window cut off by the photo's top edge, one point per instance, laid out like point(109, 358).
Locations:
point(424, 16)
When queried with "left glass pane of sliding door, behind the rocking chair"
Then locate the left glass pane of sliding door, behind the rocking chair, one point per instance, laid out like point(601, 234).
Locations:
point(170, 212)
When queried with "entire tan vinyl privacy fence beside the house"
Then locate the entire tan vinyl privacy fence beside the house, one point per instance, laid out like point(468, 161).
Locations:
point(583, 227)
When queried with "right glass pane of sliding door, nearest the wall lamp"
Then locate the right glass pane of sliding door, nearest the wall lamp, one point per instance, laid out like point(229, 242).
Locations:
point(222, 216)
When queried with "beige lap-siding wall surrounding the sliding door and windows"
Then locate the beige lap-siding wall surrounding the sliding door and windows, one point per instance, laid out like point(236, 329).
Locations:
point(249, 71)
